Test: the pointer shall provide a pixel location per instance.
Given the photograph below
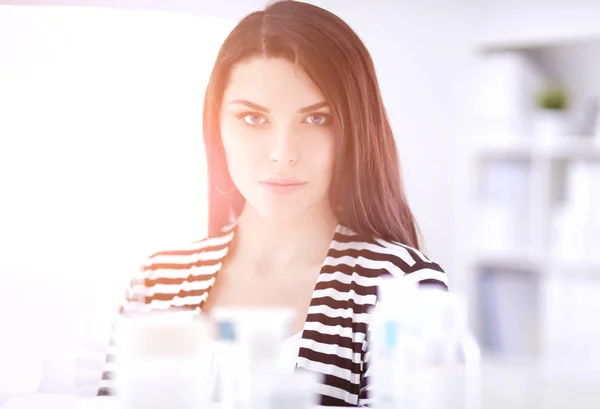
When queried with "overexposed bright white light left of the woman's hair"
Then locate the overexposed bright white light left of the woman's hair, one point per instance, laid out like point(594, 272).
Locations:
point(101, 153)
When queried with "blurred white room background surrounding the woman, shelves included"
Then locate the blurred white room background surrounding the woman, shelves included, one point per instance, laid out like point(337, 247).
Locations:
point(101, 161)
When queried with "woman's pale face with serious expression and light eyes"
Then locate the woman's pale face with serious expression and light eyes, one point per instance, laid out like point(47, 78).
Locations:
point(278, 138)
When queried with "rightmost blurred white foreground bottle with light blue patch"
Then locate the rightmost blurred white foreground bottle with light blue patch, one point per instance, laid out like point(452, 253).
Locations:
point(424, 356)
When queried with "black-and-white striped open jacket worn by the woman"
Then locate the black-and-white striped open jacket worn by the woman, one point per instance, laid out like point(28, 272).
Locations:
point(334, 341)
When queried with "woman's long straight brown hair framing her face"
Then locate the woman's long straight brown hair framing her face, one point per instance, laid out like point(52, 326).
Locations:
point(366, 190)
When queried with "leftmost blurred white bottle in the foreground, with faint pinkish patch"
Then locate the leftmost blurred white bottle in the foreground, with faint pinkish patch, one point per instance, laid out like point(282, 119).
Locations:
point(163, 360)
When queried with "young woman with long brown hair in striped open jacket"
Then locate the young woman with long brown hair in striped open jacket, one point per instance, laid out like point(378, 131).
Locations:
point(307, 208)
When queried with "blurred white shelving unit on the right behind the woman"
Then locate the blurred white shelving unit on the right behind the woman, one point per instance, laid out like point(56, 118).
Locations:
point(536, 167)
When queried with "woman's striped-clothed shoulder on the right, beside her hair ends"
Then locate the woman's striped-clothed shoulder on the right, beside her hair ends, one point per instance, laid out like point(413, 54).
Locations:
point(395, 258)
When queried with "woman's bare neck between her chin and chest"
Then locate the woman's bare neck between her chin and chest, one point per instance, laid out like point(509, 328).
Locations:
point(275, 245)
